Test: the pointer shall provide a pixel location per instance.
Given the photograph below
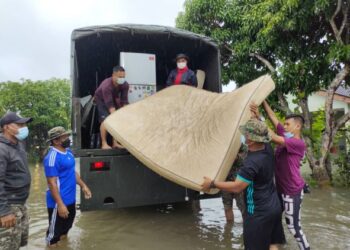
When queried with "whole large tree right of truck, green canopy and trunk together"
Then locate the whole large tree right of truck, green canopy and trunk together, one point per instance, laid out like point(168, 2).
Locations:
point(304, 44)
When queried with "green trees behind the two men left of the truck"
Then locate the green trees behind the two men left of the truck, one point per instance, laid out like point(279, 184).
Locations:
point(48, 102)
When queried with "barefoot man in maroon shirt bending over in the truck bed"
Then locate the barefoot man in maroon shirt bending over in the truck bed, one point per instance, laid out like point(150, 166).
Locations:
point(111, 95)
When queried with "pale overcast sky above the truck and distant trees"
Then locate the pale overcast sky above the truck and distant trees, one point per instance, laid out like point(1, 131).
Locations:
point(35, 34)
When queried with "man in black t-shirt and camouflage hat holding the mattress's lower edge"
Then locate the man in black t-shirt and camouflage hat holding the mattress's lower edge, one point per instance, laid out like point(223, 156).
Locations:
point(262, 224)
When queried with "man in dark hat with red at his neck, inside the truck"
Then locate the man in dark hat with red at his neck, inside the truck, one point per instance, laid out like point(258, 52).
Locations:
point(182, 74)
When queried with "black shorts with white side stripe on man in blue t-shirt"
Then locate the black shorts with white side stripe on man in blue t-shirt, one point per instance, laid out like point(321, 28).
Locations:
point(59, 226)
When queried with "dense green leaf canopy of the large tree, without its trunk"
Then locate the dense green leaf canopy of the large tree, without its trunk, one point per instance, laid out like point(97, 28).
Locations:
point(293, 35)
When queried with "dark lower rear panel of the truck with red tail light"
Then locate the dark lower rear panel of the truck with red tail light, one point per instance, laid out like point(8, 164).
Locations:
point(121, 181)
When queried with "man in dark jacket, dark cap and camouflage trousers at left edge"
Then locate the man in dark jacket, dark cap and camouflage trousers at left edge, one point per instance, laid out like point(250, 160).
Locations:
point(14, 182)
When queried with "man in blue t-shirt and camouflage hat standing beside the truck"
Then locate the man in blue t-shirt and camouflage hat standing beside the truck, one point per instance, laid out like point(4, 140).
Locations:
point(59, 164)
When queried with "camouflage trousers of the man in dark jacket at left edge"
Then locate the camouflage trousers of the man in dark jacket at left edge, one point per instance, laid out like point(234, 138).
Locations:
point(15, 237)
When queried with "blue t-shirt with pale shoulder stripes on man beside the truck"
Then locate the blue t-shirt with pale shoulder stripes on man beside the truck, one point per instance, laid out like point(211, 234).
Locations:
point(61, 165)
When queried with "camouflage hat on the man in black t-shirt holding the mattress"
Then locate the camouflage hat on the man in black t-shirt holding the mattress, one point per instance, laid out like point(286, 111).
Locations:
point(256, 130)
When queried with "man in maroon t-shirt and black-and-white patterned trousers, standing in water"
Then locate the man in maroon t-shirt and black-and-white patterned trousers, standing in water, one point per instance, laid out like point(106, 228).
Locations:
point(288, 156)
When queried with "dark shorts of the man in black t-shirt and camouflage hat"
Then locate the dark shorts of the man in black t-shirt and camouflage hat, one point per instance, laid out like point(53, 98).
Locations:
point(262, 230)
